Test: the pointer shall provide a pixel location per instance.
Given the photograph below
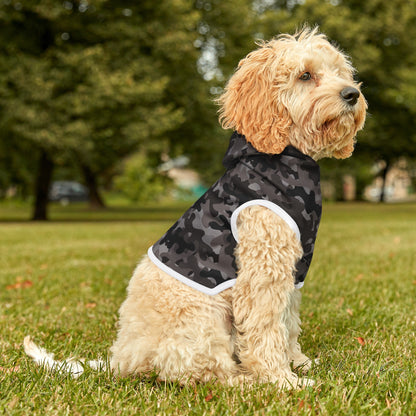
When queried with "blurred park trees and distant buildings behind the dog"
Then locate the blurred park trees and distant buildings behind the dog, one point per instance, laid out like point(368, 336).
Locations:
point(103, 101)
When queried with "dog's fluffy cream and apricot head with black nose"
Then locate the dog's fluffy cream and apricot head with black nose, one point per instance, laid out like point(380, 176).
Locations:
point(295, 90)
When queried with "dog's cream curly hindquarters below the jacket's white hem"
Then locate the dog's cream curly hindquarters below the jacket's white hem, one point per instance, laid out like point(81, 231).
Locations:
point(168, 327)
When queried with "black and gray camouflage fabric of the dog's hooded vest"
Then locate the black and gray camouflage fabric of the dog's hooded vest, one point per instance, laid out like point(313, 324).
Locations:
point(200, 245)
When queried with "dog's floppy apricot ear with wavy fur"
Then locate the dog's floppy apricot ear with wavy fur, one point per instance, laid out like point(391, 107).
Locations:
point(251, 104)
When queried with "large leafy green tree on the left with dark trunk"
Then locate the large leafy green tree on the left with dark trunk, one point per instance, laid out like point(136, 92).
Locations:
point(81, 82)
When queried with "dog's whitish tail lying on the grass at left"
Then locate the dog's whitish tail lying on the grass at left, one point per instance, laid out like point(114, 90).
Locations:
point(70, 365)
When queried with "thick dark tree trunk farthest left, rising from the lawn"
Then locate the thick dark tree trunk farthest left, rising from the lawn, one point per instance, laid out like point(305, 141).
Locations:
point(42, 185)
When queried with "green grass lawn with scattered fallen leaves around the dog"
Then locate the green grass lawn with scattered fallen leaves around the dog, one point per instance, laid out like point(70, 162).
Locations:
point(62, 282)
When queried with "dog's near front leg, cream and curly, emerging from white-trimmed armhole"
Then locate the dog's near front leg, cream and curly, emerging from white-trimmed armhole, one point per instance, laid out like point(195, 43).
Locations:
point(266, 256)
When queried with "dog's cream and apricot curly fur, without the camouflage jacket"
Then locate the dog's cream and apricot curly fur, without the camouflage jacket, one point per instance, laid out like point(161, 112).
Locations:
point(247, 333)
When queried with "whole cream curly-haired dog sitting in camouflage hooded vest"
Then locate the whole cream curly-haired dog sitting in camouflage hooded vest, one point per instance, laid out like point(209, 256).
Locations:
point(217, 297)
